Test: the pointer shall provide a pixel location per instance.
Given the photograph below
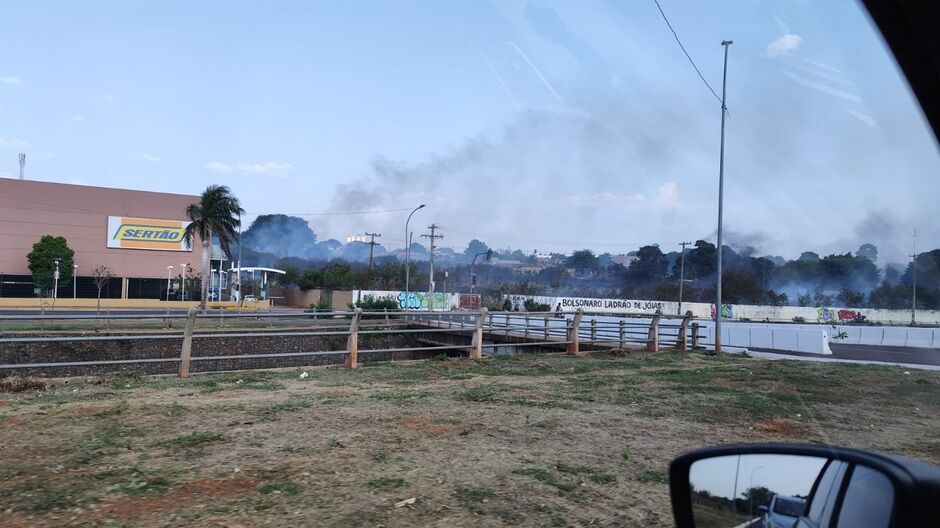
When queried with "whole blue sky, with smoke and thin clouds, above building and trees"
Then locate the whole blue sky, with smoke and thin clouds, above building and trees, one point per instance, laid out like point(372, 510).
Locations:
point(547, 125)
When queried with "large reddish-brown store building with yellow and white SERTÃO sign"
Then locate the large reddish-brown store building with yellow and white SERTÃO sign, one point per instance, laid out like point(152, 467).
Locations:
point(136, 234)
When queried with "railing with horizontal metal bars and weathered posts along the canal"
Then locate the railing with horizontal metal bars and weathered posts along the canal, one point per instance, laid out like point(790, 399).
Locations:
point(536, 329)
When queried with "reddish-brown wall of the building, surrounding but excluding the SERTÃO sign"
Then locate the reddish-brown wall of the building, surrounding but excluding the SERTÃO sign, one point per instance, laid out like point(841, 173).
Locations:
point(30, 209)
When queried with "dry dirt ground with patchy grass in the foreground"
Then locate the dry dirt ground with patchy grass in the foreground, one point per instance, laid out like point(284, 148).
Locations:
point(540, 440)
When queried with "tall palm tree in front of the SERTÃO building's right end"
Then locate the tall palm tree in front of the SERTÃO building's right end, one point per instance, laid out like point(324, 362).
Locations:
point(216, 213)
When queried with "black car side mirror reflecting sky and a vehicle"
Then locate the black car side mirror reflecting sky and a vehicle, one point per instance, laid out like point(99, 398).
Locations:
point(801, 485)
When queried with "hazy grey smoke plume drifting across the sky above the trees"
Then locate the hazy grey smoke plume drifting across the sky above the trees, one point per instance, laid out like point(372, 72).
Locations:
point(621, 164)
